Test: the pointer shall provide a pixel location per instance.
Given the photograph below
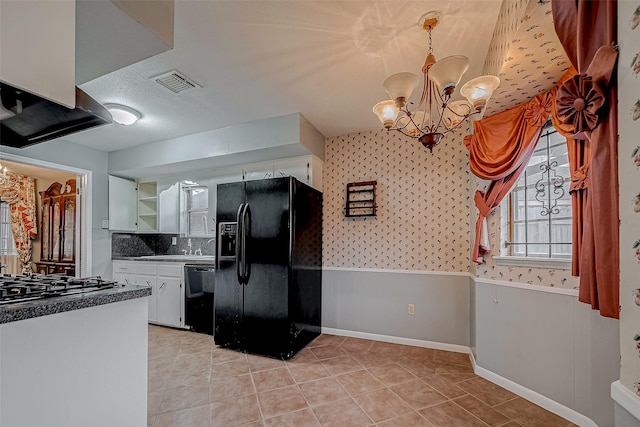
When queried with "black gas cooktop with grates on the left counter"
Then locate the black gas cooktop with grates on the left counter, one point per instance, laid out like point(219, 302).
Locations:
point(14, 288)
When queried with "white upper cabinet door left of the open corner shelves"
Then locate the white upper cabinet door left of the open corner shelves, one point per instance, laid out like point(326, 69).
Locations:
point(123, 204)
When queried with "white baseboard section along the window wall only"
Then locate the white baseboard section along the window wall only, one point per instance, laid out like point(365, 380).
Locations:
point(535, 397)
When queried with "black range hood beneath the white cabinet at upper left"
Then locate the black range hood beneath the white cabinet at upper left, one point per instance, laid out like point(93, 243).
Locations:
point(27, 119)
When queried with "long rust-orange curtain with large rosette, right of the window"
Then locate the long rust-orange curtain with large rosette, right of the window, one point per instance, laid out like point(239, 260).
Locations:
point(587, 30)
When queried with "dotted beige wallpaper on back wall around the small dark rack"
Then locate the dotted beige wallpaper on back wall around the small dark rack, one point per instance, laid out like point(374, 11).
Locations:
point(422, 220)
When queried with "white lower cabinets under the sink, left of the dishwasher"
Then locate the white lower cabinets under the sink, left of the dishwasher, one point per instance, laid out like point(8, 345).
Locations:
point(166, 303)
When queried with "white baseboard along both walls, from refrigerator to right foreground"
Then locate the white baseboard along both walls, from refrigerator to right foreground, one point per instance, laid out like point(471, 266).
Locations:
point(525, 393)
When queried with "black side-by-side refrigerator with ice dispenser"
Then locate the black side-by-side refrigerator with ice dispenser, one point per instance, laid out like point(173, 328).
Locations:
point(268, 278)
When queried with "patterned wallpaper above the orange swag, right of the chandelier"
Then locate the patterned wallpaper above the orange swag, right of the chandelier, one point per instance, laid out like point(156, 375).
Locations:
point(533, 60)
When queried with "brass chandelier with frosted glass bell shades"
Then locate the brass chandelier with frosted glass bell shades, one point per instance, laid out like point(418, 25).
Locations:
point(434, 116)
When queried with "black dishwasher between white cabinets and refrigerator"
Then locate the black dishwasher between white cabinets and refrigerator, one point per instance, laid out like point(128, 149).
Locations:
point(199, 288)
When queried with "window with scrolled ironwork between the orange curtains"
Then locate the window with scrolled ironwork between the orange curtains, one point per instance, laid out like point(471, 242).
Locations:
point(539, 206)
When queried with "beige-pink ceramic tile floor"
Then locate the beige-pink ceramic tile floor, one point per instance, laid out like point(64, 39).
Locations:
point(334, 381)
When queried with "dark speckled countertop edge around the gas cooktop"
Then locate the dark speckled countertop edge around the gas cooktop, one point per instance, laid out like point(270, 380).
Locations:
point(13, 312)
